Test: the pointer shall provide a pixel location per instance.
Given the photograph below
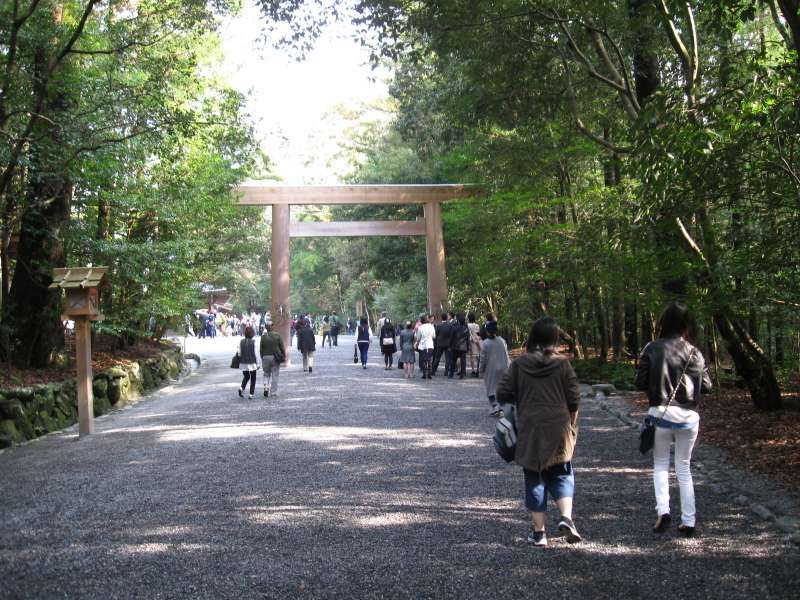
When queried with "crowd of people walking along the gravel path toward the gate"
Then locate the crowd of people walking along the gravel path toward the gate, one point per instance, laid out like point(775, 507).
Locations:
point(538, 391)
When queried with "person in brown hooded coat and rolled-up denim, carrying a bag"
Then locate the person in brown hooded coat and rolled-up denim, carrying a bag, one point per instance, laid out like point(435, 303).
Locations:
point(543, 388)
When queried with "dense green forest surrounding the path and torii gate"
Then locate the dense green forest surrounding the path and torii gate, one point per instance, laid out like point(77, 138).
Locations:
point(632, 152)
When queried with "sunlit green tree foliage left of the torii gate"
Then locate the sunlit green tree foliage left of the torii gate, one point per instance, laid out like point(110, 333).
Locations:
point(149, 138)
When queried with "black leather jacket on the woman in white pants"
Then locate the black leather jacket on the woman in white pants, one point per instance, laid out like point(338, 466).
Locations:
point(661, 364)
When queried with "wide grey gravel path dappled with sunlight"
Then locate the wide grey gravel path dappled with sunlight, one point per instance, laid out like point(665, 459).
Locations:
point(350, 484)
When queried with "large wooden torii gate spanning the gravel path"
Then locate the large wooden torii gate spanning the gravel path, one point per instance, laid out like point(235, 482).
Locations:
point(282, 197)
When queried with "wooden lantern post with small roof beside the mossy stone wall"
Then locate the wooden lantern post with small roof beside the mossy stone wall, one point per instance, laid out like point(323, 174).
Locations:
point(82, 305)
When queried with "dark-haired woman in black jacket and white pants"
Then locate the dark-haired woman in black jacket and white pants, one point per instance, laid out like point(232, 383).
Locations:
point(674, 374)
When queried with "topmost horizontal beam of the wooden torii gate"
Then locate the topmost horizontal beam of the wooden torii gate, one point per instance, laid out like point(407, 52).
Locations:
point(259, 194)
